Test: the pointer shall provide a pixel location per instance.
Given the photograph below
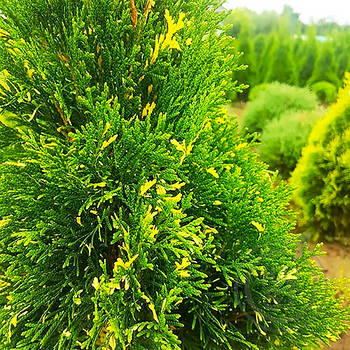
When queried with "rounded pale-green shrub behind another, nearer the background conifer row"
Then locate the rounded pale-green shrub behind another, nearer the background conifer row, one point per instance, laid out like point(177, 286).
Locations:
point(275, 100)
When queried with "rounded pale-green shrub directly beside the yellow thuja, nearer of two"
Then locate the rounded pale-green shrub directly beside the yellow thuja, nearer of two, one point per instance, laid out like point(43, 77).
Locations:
point(283, 139)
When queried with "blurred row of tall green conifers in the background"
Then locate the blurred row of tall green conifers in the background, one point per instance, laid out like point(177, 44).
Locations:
point(282, 48)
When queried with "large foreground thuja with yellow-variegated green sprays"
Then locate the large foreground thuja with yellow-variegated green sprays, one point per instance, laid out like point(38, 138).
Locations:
point(134, 215)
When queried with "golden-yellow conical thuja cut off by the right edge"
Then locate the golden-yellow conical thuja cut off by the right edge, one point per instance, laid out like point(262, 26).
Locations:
point(321, 178)
